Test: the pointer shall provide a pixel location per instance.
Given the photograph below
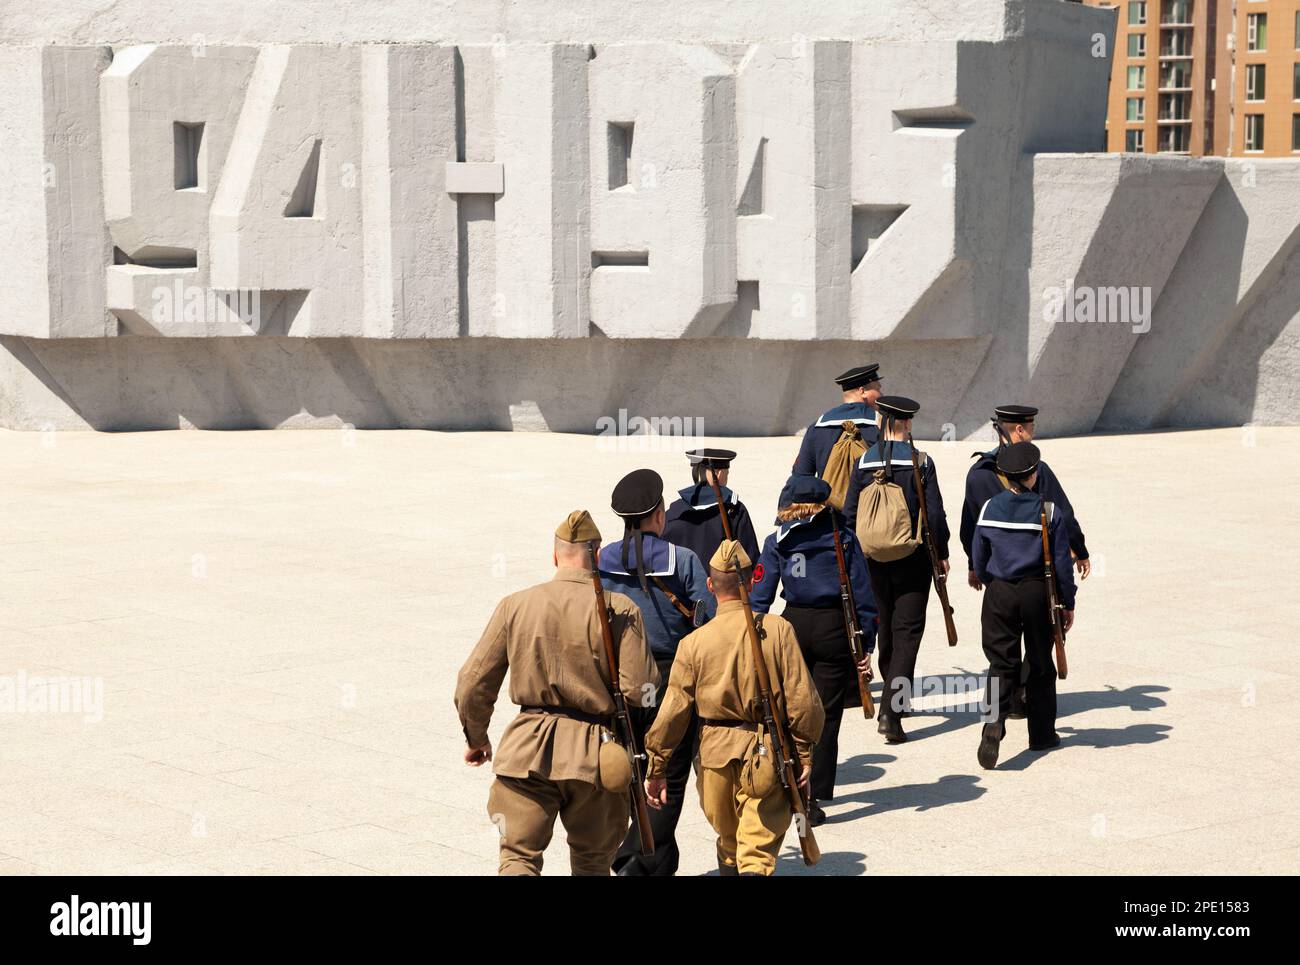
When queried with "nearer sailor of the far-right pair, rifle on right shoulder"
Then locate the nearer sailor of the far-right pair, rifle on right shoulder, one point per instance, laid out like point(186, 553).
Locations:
point(1008, 557)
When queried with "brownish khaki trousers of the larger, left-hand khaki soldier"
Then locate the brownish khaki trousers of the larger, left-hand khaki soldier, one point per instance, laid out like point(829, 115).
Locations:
point(525, 811)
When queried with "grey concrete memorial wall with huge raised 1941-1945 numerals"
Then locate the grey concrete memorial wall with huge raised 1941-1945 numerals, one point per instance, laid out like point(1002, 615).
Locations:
point(540, 215)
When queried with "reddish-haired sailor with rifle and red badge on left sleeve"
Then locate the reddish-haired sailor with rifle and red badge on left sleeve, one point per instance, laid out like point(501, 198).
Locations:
point(801, 557)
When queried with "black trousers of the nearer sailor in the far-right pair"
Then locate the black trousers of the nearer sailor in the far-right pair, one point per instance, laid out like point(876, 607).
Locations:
point(1012, 612)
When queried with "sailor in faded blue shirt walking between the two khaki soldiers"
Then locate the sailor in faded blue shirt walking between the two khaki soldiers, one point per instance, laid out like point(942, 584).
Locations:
point(671, 587)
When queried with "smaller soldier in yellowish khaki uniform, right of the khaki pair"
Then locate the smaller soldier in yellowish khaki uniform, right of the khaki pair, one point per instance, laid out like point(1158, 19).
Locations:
point(714, 673)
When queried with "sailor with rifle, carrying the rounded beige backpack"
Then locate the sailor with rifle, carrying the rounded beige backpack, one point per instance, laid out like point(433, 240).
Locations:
point(902, 586)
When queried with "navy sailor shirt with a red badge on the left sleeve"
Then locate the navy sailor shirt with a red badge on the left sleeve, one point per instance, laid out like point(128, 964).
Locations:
point(800, 557)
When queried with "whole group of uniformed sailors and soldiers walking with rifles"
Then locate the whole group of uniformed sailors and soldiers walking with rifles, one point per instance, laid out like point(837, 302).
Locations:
point(682, 650)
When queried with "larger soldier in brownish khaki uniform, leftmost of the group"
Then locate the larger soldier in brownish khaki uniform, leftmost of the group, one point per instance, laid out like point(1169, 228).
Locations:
point(548, 765)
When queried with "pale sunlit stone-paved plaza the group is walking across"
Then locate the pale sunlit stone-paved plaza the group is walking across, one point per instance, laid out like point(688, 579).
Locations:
point(276, 621)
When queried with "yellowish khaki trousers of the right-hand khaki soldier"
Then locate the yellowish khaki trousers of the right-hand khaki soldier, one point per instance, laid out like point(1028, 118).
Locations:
point(749, 829)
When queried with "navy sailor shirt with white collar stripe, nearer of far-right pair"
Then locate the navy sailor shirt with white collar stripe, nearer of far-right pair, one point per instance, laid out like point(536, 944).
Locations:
point(1008, 543)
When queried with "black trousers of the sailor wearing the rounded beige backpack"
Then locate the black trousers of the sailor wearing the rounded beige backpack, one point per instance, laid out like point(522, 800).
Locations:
point(903, 591)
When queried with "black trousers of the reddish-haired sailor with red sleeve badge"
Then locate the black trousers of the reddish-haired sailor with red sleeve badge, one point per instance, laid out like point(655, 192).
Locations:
point(826, 651)
